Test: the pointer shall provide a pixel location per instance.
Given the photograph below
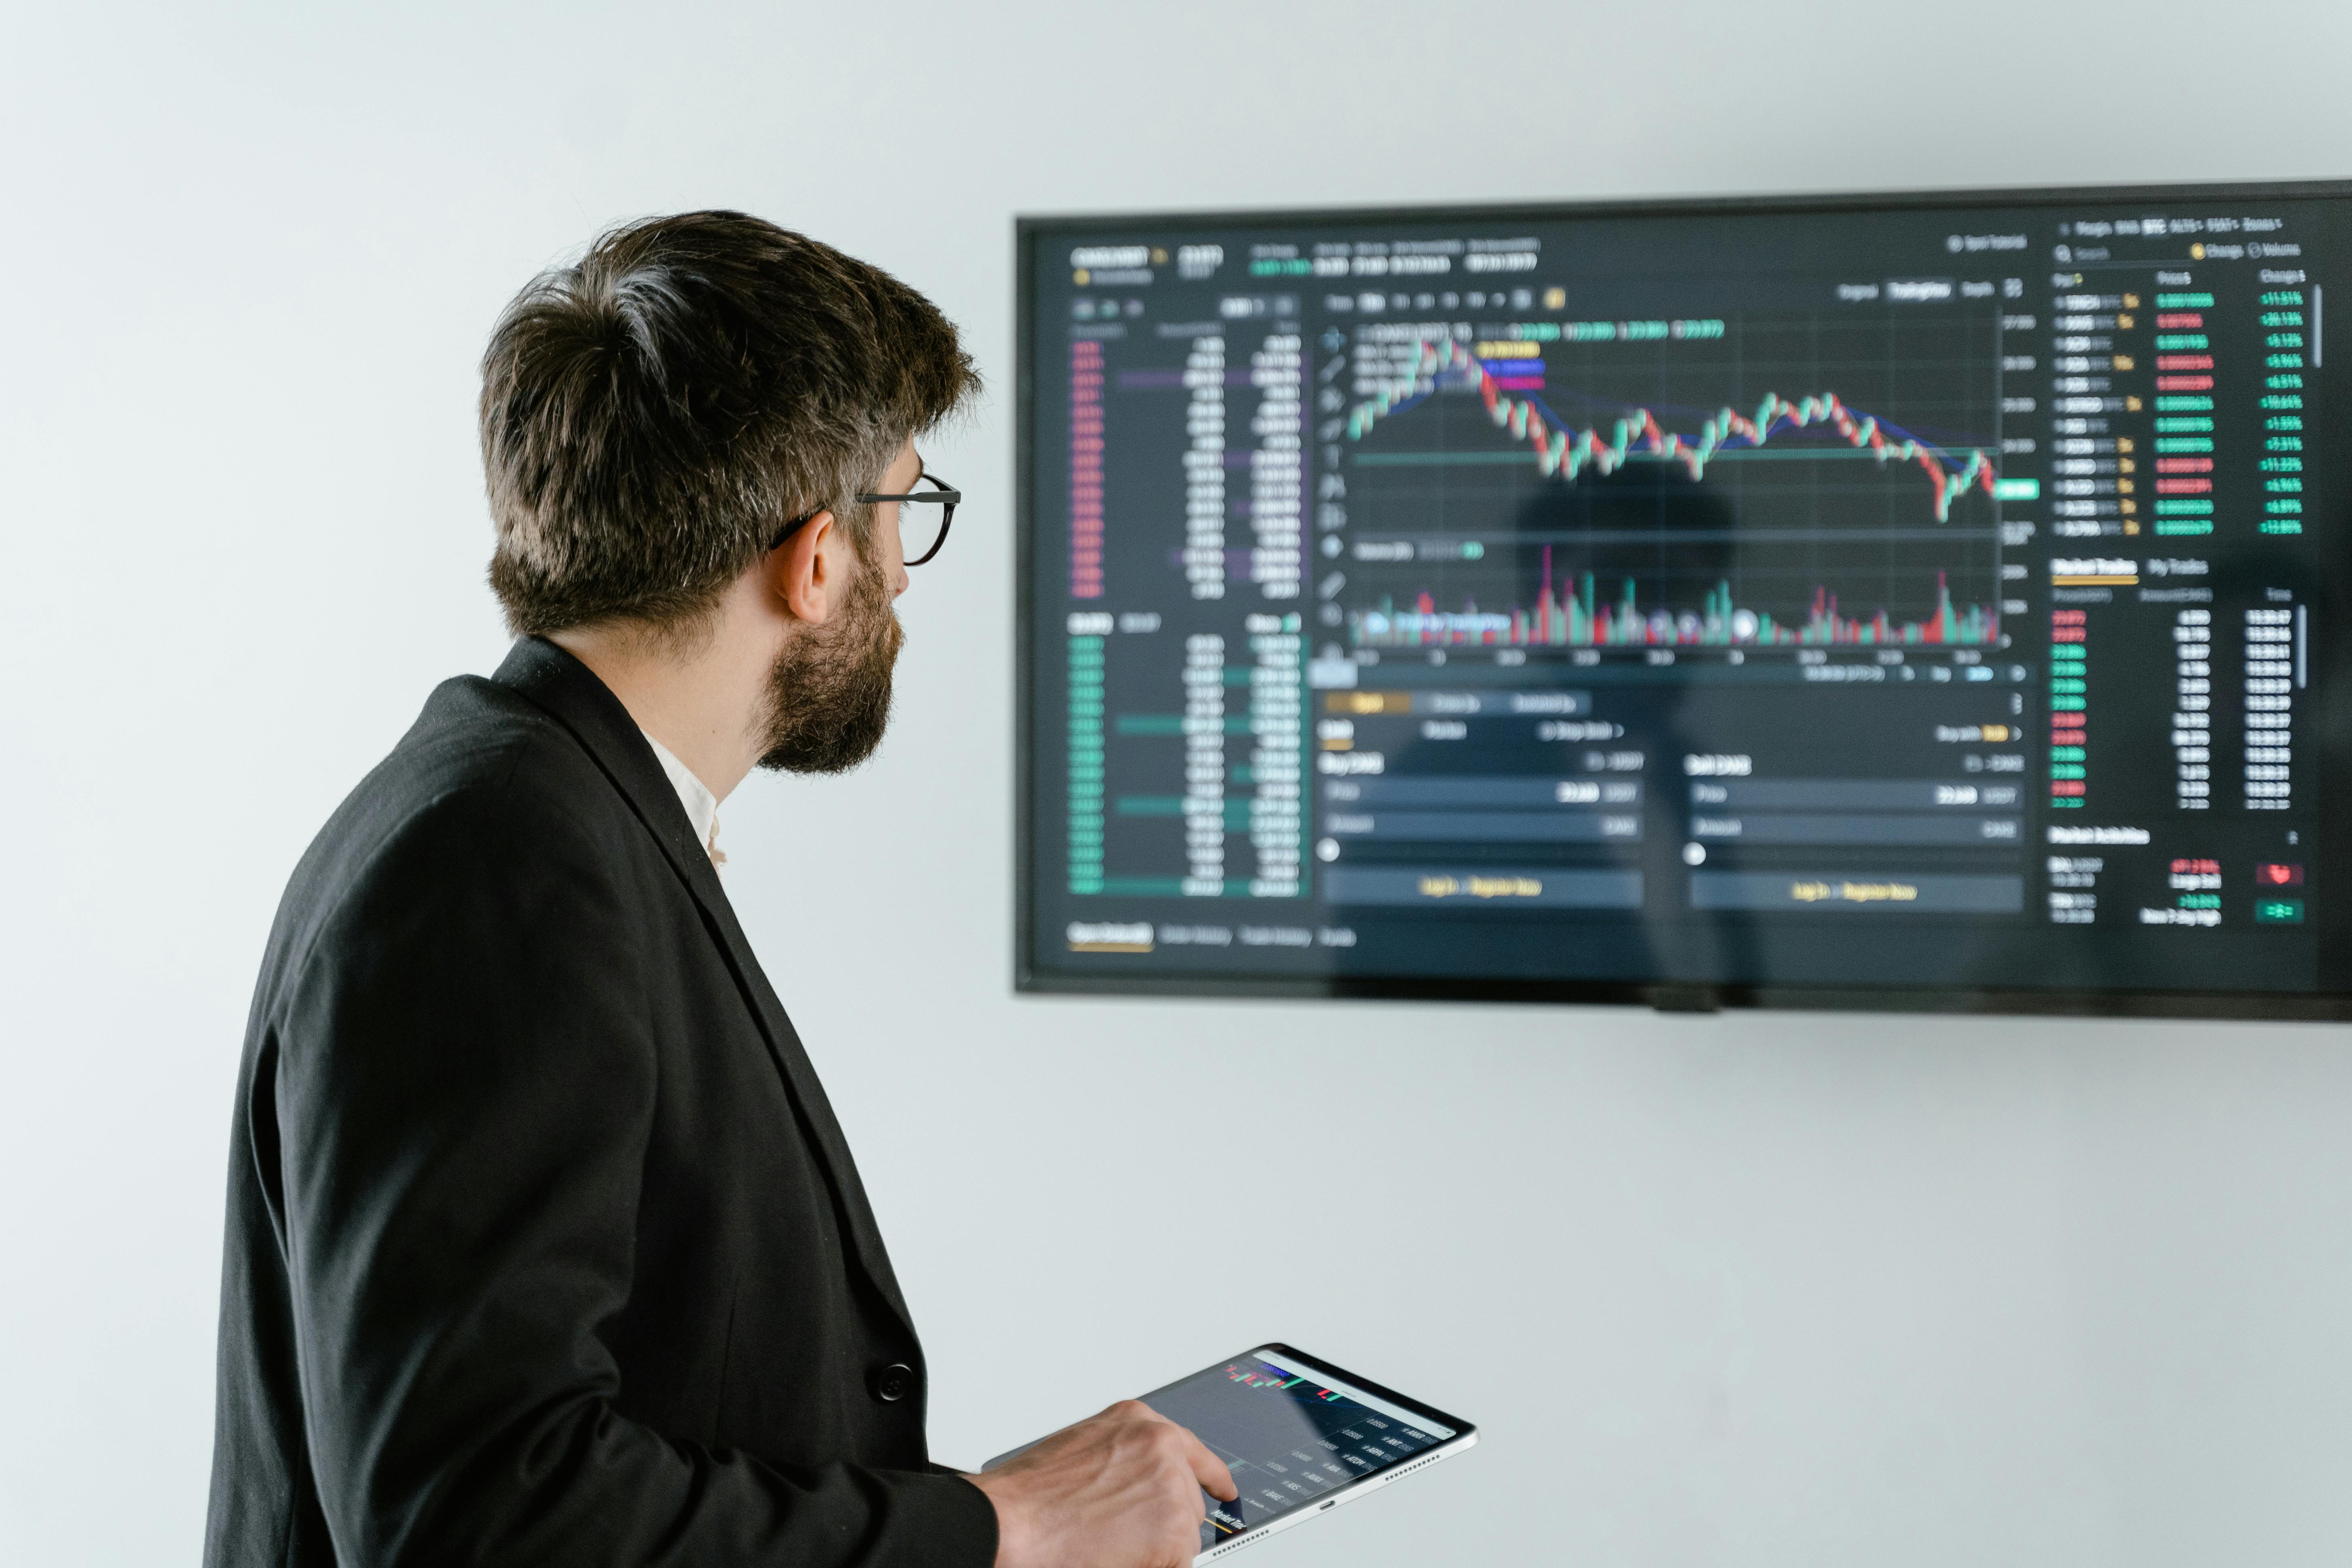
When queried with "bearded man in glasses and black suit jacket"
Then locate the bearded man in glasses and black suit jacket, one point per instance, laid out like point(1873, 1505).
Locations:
point(544, 1245)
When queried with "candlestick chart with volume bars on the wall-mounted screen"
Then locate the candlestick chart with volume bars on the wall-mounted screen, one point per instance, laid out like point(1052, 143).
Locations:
point(1671, 483)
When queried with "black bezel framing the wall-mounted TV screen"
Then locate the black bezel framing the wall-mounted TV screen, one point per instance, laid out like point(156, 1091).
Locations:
point(1664, 996)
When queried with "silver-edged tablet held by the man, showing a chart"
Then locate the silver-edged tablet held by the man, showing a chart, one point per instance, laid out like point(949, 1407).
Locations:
point(1299, 1438)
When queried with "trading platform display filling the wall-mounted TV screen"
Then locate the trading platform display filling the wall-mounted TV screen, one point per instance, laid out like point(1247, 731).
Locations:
point(1913, 596)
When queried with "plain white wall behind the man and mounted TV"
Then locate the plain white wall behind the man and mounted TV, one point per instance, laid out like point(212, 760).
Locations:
point(1720, 1292)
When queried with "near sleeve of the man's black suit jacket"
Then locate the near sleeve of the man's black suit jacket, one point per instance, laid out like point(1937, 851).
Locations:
point(465, 1097)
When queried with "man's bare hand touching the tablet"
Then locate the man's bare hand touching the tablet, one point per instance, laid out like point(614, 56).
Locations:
point(1114, 1492)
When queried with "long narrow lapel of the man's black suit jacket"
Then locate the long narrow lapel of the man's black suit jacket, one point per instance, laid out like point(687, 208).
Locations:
point(566, 688)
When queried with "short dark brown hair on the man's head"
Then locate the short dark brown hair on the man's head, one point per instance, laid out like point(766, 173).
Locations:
point(660, 410)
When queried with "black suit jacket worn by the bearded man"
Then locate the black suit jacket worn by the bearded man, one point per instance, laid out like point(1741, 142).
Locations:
point(544, 1245)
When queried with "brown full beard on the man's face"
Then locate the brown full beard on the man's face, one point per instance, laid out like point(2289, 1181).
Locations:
point(829, 697)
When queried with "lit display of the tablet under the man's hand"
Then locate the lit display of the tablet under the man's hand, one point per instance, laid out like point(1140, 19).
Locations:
point(1290, 1438)
